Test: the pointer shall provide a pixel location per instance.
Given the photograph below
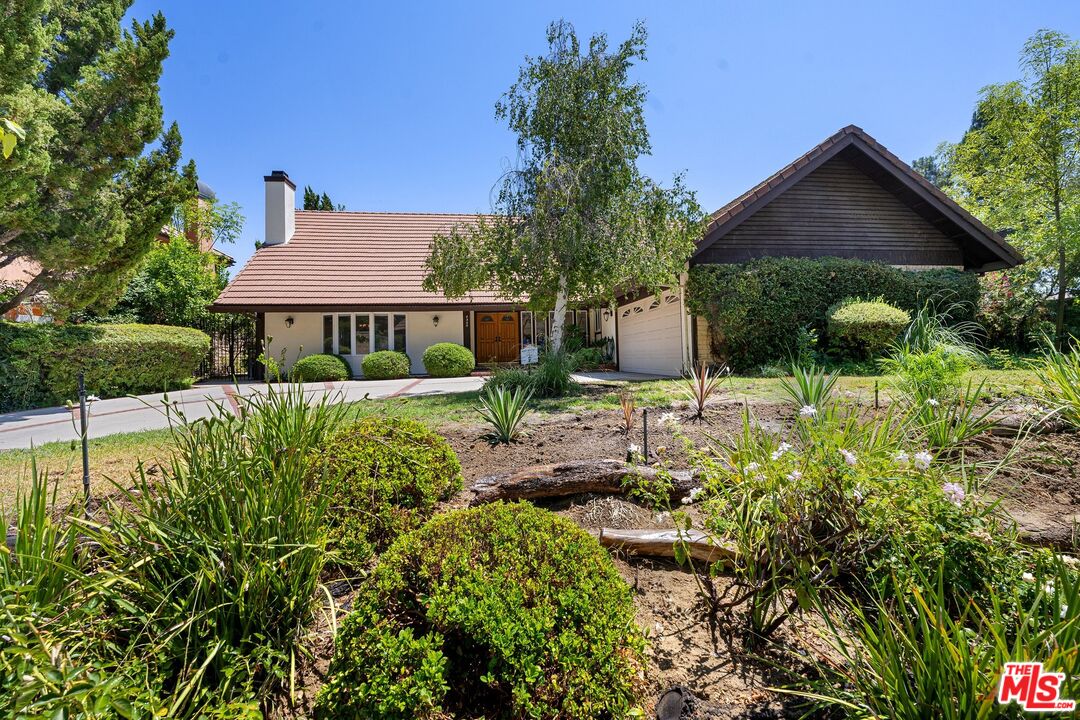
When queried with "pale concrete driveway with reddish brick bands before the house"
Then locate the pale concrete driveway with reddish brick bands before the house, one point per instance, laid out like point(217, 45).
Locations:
point(128, 415)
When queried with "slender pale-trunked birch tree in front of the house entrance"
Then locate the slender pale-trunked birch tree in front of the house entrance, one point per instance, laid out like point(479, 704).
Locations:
point(577, 221)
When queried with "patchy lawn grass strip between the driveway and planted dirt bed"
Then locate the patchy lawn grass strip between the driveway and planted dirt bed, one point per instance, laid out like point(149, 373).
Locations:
point(117, 456)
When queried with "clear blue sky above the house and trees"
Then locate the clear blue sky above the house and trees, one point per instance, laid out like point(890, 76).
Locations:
point(390, 106)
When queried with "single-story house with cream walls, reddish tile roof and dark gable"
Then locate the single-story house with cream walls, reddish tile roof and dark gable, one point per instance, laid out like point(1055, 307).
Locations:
point(352, 283)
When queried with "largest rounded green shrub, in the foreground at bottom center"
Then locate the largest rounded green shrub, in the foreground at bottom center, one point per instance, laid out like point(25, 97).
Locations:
point(498, 612)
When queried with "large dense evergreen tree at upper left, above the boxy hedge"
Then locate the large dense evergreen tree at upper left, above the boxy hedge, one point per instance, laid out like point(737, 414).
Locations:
point(84, 200)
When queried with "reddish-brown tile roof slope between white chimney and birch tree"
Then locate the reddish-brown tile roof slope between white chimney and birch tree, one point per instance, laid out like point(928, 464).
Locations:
point(341, 259)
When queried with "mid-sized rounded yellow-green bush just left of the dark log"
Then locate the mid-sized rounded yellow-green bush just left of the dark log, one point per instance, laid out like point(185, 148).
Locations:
point(387, 476)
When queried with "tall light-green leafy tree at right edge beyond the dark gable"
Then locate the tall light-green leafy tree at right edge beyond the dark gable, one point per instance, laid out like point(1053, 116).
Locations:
point(1018, 168)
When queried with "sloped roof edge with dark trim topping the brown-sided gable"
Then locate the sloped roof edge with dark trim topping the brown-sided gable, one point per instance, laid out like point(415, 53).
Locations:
point(751, 201)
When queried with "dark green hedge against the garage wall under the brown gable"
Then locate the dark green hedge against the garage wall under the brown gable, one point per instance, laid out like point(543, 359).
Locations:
point(757, 309)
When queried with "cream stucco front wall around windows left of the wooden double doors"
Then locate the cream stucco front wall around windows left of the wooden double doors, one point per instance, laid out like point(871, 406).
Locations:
point(306, 335)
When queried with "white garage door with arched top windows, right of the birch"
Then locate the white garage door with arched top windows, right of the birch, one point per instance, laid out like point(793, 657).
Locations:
point(650, 336)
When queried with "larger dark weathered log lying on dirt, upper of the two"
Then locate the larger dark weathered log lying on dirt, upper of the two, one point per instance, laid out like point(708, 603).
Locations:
point(572, 479)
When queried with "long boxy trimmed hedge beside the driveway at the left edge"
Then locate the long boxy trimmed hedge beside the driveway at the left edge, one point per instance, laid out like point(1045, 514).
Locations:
point(39, 364)
